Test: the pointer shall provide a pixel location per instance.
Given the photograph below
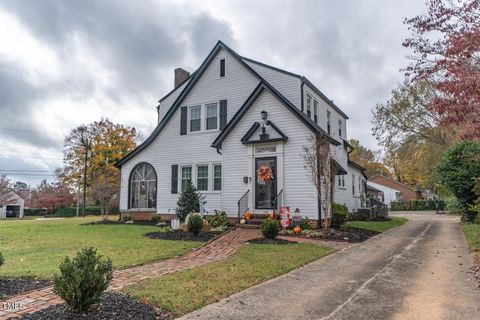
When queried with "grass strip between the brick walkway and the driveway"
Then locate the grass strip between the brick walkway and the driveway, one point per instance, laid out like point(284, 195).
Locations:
point(192, 289)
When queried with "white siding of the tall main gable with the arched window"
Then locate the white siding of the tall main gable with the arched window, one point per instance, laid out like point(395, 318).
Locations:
point(172, 148)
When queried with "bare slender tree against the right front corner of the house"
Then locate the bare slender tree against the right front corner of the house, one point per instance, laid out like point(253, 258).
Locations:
point(318, 156)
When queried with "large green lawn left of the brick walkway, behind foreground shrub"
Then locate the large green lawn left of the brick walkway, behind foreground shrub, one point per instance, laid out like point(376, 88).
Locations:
point(35, 248)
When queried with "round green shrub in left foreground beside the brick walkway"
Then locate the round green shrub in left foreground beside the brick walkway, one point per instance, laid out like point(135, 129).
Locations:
point(83, 279)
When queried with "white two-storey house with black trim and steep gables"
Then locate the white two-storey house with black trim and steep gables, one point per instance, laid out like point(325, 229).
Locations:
point(223, 126)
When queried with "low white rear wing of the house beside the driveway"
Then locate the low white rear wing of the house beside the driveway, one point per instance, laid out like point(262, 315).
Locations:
point(350, 189)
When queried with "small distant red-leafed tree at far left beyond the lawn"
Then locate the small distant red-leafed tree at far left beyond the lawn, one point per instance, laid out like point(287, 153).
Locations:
point(52, 196)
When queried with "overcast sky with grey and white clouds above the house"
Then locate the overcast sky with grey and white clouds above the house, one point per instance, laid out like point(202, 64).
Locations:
point(67, 62)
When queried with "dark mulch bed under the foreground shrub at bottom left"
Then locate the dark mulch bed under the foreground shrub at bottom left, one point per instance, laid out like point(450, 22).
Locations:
point(113, 306)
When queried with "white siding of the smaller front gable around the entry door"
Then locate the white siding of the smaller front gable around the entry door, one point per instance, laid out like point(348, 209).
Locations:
point(294, 178)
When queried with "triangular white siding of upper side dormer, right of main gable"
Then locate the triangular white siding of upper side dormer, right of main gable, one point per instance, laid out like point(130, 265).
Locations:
point(288, 85)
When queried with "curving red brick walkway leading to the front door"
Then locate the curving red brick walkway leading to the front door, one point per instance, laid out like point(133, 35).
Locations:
point(216, 250)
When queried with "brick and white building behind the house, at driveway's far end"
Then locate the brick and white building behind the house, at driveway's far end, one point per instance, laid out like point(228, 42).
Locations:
point(392, 190)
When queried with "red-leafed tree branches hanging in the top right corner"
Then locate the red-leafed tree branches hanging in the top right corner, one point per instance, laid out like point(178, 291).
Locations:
point(446, 46)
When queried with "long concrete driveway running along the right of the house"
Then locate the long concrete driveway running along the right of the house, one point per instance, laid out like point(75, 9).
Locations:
point(417, 271)
